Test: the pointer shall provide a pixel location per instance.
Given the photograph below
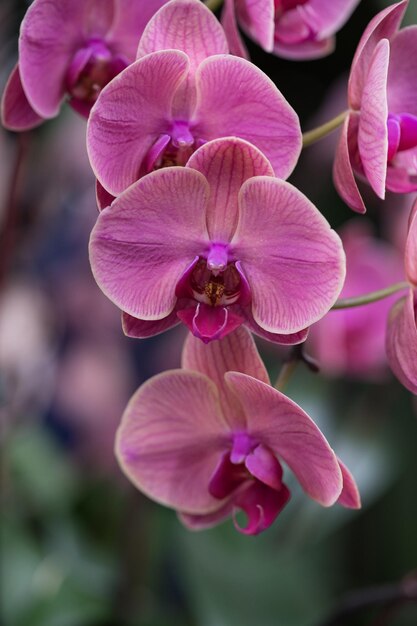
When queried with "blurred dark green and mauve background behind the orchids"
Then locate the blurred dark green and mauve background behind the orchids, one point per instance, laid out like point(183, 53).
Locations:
point(81, 547)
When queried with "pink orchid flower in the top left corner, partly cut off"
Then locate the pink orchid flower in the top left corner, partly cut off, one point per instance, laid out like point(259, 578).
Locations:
point(71, 49)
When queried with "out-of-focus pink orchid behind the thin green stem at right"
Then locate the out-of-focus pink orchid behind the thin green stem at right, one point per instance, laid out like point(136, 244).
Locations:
point(352, 341)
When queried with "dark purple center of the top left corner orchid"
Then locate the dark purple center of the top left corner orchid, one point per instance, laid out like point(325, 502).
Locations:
point(91, 69)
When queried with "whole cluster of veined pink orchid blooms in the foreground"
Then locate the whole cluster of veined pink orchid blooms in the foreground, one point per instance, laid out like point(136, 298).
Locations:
point(191, 147)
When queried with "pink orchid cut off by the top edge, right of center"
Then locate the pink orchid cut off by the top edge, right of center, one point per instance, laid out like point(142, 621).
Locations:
point(293, 29)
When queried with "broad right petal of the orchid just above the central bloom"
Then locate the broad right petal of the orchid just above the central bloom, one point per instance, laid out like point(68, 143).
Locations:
point(234, 98)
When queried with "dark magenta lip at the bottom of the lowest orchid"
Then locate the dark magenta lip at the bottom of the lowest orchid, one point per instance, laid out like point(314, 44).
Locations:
point(262, 505)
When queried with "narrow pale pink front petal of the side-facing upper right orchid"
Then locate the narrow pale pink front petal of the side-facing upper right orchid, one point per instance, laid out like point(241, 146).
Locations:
point(373, 131)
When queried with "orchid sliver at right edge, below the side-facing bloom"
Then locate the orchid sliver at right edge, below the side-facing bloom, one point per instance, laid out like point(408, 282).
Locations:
point(402, 324)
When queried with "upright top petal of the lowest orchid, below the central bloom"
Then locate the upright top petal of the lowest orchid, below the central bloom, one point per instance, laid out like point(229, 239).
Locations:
point(235, 352)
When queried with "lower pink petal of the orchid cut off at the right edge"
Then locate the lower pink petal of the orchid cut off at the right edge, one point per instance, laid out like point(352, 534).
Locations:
point(401, 342)
